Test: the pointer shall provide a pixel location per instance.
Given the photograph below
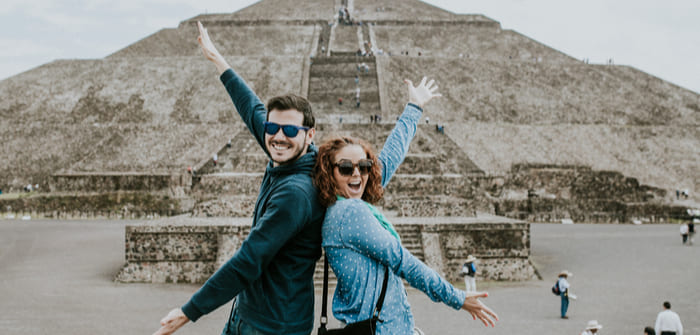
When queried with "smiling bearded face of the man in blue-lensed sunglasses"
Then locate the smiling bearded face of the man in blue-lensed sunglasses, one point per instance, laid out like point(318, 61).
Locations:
point(282, 148)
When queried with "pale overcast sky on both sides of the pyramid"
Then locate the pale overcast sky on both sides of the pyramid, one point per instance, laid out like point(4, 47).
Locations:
point(658, 37)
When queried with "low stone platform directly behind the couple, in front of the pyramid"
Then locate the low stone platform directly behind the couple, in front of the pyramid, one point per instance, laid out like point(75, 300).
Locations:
point(189, 250)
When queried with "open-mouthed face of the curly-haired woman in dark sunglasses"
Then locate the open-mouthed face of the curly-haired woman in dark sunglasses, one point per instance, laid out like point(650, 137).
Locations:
point(351, 186)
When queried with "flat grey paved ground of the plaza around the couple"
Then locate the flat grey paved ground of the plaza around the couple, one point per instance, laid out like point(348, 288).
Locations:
point(56, 277)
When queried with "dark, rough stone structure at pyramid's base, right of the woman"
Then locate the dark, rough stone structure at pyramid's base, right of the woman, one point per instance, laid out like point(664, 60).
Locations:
point(549, 193)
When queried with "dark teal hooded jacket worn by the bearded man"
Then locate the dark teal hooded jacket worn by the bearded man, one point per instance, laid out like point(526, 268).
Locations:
point(272, 272)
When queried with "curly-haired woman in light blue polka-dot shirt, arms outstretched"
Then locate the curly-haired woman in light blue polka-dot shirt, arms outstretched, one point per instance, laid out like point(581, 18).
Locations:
point(358, 240)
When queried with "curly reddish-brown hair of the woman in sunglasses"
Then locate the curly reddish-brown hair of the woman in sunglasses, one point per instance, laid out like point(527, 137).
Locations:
point(324, 178)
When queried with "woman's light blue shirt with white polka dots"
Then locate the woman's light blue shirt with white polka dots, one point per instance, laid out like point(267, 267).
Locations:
point(359, 248)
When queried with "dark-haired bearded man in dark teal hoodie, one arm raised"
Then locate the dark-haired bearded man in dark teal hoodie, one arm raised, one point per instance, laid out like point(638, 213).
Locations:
point(272, 272)
